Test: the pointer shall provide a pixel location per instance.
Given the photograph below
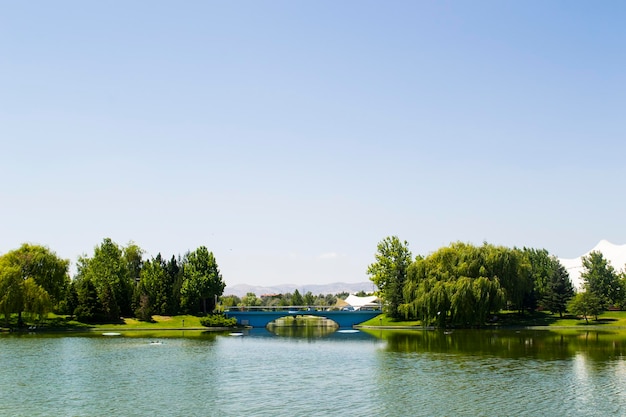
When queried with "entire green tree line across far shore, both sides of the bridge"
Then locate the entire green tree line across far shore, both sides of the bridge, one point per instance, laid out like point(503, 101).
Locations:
point(457, 285)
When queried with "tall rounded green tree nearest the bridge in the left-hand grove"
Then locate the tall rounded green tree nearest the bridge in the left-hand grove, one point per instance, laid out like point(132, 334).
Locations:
point(202, 281)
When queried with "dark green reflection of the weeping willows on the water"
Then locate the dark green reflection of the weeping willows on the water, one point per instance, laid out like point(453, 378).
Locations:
point(541, 344)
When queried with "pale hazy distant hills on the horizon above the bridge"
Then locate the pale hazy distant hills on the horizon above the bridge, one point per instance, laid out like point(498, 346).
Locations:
point(242, 289)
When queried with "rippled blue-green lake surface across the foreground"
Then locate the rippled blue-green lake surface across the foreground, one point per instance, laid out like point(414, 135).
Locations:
point(319, 373)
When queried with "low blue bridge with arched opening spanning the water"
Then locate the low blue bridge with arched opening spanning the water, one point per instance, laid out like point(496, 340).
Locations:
point(262, 316)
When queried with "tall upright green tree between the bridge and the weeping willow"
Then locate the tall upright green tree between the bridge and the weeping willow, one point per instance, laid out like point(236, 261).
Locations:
point(389, 273)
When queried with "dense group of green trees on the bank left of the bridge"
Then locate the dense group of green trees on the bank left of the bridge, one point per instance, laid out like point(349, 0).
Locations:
point(113, 282)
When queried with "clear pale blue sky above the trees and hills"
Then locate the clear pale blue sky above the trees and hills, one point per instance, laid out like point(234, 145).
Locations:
point(291, 137)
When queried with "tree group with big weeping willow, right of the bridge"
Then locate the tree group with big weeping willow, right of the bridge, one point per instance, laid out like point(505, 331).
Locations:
point(465, 285)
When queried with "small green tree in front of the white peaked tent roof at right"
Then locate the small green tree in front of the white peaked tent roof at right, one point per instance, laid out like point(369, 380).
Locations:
point(600, 278)
